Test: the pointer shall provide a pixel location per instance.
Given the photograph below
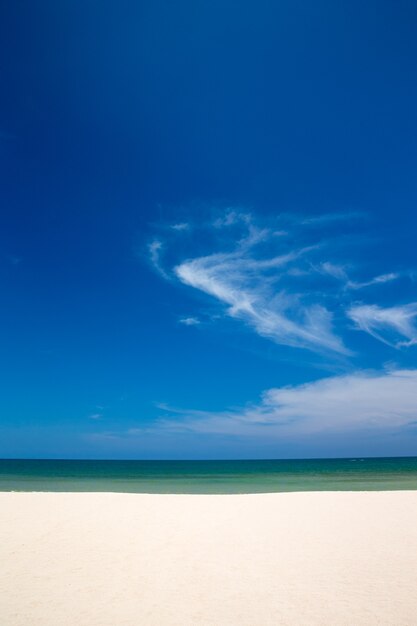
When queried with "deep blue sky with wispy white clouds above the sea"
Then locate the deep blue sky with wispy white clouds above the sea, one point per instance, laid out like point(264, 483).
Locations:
point(207, 229)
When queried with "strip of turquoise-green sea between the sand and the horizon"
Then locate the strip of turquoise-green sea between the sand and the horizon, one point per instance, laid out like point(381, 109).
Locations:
point(210, 476)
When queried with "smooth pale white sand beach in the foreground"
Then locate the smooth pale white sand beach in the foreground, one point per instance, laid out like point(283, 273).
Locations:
point(256, 560)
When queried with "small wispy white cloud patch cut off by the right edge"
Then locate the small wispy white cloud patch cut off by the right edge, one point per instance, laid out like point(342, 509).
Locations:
point(386, 324)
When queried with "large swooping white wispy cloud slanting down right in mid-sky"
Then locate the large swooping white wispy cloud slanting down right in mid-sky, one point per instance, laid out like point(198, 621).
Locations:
point(246, 285)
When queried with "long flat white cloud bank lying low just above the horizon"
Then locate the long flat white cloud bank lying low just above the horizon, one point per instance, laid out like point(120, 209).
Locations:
point(340, 404)
